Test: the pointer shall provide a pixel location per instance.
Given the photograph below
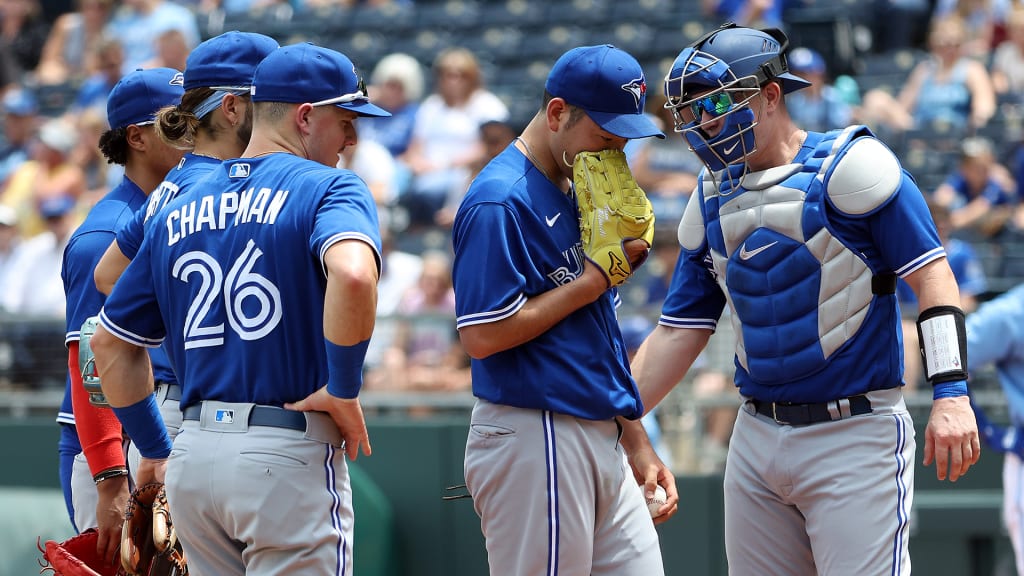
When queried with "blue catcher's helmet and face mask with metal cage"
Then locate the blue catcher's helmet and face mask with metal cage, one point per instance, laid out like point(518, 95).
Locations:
point(719, 75)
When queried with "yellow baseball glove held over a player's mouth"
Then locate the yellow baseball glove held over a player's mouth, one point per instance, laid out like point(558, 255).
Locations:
point(613, 210)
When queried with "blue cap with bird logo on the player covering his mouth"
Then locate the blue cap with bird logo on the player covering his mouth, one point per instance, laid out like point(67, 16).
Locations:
point(609, 85)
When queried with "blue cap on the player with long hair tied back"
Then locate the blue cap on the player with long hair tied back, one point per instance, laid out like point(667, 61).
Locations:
point(228, 61)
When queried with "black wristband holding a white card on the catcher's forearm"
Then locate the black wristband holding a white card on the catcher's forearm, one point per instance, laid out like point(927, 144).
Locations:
point(953, 357)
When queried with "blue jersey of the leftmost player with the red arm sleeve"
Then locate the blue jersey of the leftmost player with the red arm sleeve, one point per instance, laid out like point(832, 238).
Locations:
point(81, 256)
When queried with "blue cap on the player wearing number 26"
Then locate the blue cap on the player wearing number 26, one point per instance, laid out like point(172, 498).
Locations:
point(308, 73)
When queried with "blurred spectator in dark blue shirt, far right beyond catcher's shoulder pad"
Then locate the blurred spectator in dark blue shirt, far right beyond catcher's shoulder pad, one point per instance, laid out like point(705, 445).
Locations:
point(979, 193)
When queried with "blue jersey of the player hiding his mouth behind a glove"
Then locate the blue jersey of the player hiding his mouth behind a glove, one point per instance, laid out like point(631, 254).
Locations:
point(518, 236)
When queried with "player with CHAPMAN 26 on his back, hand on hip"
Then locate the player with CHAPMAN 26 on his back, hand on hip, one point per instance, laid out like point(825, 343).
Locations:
point(235, 276)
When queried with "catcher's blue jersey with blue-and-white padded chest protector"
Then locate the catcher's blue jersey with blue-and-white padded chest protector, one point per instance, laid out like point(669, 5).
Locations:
point(798, 270)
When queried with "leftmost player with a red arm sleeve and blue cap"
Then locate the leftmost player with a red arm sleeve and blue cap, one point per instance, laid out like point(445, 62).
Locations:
point(100, 478)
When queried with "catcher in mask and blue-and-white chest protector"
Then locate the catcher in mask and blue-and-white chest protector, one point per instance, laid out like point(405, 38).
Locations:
point(803, 235)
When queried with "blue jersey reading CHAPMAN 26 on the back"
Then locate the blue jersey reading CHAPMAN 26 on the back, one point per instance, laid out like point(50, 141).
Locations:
point(234, 271)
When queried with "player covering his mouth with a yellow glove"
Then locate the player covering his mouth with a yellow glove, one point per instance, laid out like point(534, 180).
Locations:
point(544, 463)
